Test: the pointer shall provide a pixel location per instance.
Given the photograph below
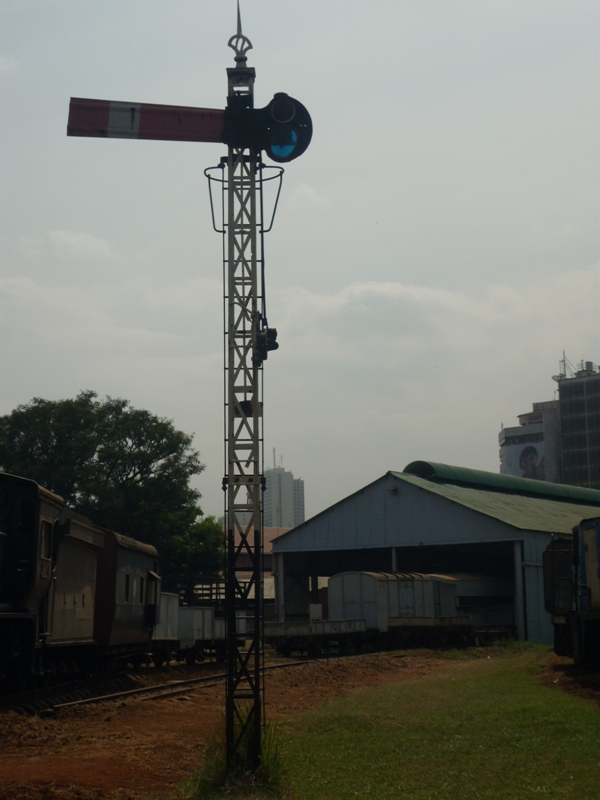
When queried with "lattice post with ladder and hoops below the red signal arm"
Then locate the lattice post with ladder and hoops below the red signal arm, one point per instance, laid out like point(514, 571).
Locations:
point(242, 176)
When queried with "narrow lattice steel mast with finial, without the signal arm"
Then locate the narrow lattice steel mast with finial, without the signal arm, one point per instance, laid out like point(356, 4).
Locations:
point(243, 439)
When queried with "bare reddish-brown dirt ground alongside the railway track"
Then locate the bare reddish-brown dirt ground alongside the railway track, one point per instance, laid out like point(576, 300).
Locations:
point(139, 749)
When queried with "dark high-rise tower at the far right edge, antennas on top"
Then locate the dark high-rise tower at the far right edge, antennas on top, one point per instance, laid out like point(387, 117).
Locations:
point(579, 395)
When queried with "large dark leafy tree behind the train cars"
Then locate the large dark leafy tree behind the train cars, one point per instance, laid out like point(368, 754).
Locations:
point(124, 468)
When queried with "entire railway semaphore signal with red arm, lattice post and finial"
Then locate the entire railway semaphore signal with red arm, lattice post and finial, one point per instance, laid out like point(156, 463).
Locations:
point(283, 130)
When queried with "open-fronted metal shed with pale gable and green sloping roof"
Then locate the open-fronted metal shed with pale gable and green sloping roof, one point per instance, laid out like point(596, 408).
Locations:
point(434, 513)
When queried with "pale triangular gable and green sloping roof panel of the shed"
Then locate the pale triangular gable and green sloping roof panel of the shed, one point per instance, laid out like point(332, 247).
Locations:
point(402, 509)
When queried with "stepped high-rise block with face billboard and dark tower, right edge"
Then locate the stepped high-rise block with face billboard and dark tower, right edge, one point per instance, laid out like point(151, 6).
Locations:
point(559, 440)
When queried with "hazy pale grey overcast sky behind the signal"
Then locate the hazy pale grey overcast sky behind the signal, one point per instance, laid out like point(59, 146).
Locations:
point(435, 249)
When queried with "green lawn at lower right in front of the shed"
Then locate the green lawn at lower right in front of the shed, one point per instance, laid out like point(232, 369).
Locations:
point(483, 728)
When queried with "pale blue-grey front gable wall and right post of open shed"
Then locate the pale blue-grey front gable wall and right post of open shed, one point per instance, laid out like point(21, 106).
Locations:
point(394, 514)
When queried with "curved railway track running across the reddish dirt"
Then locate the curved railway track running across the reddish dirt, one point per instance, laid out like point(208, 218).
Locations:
point(69, 696)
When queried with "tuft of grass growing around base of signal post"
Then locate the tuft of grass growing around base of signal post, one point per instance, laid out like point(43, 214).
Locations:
point(215, 779)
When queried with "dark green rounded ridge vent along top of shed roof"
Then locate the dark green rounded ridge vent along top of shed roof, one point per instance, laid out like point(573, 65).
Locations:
point(493, 481)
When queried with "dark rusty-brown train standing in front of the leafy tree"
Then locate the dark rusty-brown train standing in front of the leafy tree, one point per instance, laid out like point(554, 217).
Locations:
point(74, 597)
